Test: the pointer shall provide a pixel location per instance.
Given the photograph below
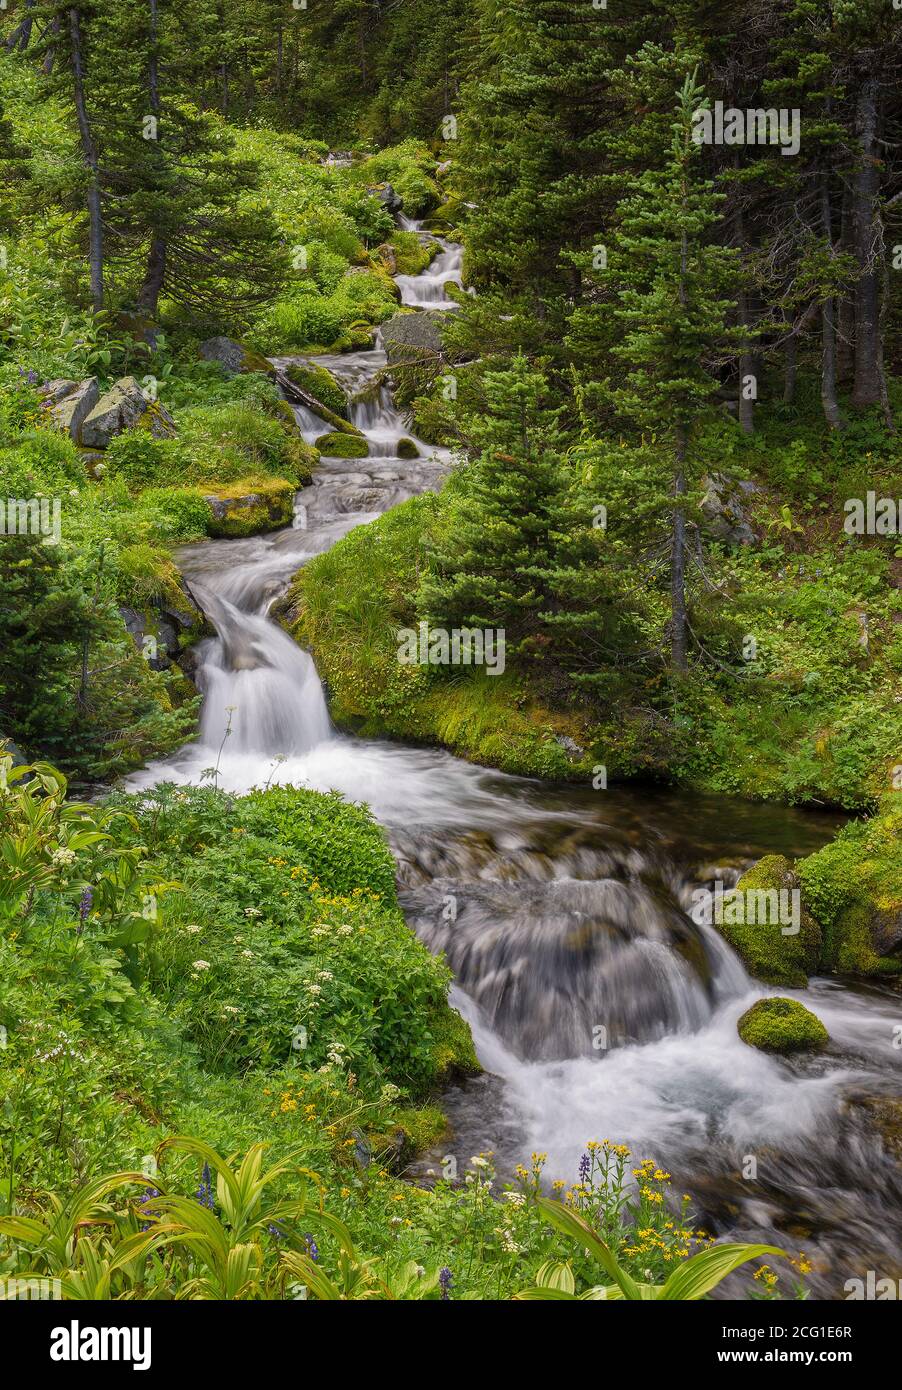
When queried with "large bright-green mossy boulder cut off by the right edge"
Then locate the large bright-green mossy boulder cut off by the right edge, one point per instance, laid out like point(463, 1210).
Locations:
point(854, 889)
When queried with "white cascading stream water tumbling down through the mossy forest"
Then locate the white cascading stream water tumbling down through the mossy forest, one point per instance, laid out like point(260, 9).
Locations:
point(598, 1006)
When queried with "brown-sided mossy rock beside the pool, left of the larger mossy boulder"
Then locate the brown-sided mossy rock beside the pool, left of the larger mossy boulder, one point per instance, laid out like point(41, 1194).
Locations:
point(766, 949)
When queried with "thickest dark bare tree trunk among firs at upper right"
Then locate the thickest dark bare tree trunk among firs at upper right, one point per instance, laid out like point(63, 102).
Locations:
point(868, 389)
